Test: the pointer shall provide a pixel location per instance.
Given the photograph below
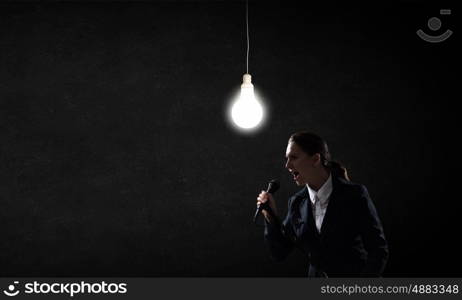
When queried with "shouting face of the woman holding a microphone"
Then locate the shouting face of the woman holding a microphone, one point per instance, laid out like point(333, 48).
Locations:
point(300, 164)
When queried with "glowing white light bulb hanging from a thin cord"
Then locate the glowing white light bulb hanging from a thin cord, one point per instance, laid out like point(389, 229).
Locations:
point(247, 112)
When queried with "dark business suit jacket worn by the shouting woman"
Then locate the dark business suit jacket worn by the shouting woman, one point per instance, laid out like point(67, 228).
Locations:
point(351, 242)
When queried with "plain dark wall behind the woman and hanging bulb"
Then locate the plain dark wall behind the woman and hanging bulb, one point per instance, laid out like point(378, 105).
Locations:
point(117, 158)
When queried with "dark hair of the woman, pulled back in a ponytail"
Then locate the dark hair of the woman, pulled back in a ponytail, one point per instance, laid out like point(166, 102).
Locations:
point(312, 144)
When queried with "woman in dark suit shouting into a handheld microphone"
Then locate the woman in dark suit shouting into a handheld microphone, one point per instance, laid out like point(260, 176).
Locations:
point(331, 219)
